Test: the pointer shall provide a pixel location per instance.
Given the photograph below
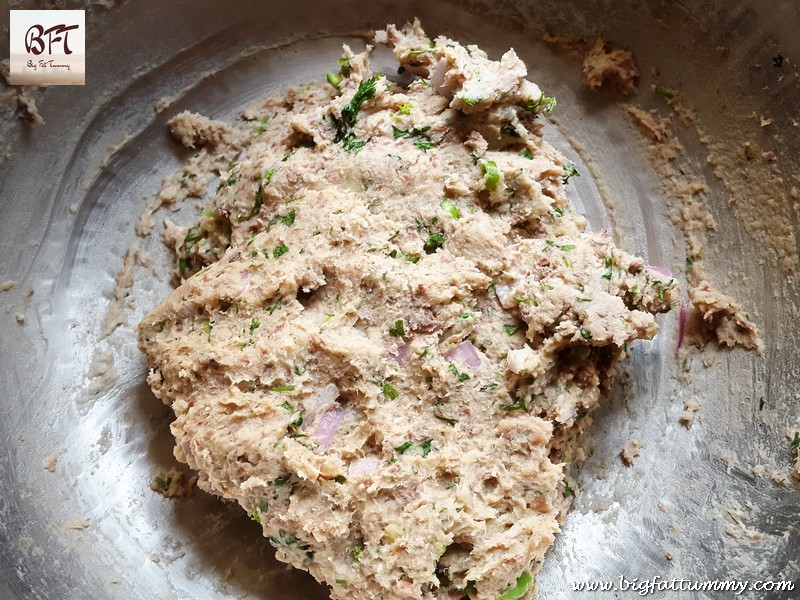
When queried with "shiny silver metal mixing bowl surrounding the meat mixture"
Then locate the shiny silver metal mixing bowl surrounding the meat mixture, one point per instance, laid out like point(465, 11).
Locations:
point(104, 151)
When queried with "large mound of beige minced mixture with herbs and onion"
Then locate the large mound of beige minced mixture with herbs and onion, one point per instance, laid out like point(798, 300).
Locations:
point(391, 329)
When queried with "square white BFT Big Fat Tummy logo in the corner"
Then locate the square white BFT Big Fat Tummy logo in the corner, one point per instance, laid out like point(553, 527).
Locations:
point(47, 47)
